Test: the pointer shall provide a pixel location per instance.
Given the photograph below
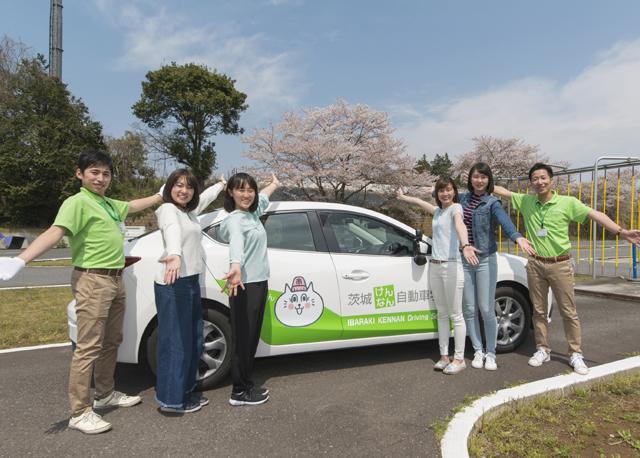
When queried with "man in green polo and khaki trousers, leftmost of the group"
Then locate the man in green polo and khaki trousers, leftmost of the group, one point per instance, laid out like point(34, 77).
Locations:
point(95, 227)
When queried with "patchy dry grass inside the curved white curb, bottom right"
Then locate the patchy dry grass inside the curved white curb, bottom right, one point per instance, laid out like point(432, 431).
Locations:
point(601, 420)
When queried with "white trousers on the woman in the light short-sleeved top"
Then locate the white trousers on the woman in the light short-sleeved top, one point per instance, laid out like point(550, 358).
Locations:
point(446, 282)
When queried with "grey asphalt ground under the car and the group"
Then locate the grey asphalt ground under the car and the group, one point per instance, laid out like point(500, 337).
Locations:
point(375, 401)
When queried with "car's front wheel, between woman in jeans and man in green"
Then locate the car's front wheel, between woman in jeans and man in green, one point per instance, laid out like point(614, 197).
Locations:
point(513, 311)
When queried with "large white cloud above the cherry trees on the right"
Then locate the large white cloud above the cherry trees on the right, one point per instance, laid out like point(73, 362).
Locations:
point(596, 113)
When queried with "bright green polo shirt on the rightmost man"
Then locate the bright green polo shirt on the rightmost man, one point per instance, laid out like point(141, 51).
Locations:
point(555, 216)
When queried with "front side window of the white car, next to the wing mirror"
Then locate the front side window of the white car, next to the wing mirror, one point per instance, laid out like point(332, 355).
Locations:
point(358, 234)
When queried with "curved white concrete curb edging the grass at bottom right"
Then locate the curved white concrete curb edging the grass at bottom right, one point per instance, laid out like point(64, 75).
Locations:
point(454, 442)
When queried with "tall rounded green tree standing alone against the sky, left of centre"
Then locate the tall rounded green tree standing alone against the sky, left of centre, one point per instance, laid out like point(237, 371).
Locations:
point(187, 104)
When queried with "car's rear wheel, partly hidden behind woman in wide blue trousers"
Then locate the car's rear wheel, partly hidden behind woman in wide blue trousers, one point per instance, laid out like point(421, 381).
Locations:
point(215, 362)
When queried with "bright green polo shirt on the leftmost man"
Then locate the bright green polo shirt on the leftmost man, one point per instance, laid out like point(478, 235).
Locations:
point(94, 226)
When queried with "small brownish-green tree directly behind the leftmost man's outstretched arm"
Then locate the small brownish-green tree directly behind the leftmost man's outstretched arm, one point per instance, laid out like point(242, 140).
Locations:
point(133, 176)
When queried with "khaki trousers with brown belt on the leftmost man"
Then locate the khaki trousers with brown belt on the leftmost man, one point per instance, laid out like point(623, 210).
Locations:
point(100, 302)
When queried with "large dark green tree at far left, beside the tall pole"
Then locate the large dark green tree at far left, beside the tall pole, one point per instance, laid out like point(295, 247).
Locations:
point(43, 129)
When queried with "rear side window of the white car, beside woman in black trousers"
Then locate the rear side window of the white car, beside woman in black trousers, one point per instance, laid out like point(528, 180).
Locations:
point(289, 231)
